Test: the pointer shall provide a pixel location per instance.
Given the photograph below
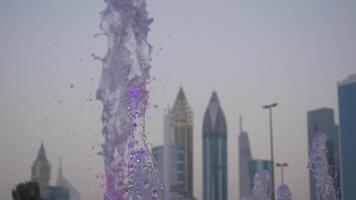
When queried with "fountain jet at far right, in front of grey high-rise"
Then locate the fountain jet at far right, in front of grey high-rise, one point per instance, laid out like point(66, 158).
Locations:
point(319, 167)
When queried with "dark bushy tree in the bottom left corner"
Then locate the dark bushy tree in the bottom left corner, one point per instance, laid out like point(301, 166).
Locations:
point(26, 191)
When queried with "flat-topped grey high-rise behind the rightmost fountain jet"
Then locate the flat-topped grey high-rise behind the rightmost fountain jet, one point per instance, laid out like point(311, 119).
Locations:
point(323, 120)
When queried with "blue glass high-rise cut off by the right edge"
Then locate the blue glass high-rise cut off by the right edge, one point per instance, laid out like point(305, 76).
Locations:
point(347, 112)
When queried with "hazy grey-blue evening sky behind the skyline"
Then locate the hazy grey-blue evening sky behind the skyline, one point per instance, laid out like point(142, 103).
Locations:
point(250, 52)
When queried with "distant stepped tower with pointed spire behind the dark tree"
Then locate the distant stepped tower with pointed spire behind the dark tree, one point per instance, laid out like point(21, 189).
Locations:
point(41, 170)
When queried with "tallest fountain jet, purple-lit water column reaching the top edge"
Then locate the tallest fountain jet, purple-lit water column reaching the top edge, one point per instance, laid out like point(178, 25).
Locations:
point(129, 169)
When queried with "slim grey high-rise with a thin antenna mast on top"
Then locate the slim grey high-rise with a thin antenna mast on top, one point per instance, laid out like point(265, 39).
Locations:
point(244, 158)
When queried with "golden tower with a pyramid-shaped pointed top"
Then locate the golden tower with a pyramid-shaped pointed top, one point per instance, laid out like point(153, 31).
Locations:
point(183, 136)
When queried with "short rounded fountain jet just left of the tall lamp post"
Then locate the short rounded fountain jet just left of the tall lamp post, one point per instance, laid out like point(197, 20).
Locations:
point(261, 186)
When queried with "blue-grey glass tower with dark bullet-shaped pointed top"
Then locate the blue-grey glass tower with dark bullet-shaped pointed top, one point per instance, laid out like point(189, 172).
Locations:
point(214, 152)
